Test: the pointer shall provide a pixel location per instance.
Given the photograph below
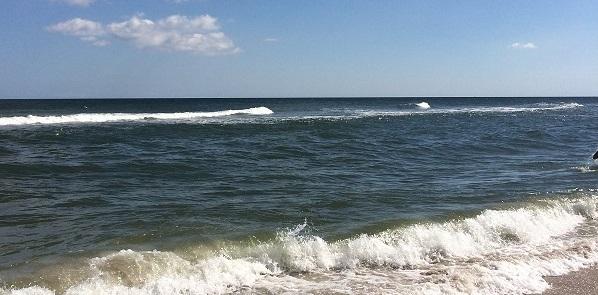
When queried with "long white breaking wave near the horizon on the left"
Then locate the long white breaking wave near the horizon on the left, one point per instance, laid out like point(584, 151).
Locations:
point(117, 117)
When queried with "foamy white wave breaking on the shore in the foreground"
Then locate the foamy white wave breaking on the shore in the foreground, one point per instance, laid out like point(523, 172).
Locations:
point(503, 251)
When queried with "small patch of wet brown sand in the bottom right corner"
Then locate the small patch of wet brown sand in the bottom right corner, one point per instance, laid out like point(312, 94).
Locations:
point(584, 282)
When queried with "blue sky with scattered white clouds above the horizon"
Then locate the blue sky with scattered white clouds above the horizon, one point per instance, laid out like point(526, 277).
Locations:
point(283, 48)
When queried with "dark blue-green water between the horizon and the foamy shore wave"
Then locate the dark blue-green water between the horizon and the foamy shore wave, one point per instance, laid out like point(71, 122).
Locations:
point(80, 179)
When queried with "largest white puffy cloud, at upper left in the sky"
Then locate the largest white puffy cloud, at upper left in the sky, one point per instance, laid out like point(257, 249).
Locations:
point(175, 33)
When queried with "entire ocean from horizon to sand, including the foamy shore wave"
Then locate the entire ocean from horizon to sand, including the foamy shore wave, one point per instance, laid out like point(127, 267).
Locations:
point(296, 195)
